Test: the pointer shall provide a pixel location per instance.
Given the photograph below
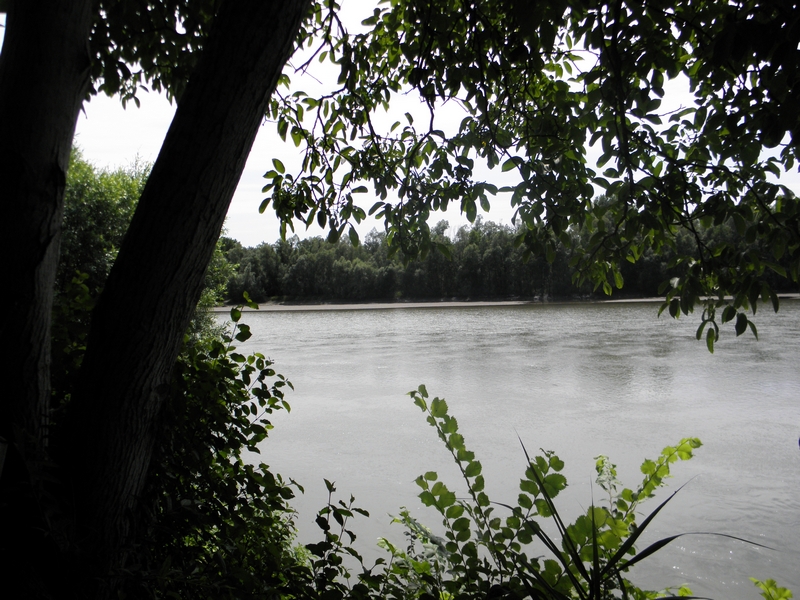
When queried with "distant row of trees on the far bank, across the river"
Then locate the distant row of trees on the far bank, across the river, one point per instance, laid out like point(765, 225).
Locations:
point(482, 261)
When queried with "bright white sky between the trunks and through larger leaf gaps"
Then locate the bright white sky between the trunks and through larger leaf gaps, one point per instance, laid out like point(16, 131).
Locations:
point(110, 136)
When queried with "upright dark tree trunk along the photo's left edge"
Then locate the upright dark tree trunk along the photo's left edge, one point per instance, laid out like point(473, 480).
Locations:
point(44, 76)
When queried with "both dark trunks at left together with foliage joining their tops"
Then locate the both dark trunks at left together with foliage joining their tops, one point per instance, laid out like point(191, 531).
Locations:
point(104, 440)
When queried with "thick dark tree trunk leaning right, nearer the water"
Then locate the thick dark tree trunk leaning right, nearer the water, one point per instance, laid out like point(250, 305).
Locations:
point(138, 325)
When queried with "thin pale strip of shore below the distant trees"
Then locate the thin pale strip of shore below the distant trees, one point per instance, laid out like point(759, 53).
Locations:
point(290, 306)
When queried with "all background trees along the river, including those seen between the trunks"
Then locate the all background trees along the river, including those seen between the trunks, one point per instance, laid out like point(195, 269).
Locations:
point(481, 261)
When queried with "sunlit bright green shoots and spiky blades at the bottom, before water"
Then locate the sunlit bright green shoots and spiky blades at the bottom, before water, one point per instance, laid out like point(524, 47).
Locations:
point(485, 554)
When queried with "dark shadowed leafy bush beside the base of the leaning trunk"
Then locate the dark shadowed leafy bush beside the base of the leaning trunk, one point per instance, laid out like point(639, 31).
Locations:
point(213, 522)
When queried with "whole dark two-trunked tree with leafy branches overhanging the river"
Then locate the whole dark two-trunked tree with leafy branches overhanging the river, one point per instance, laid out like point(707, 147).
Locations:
point(530, 107)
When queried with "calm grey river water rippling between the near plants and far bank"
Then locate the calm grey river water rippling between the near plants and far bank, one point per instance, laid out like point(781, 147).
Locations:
point(578, 379)
